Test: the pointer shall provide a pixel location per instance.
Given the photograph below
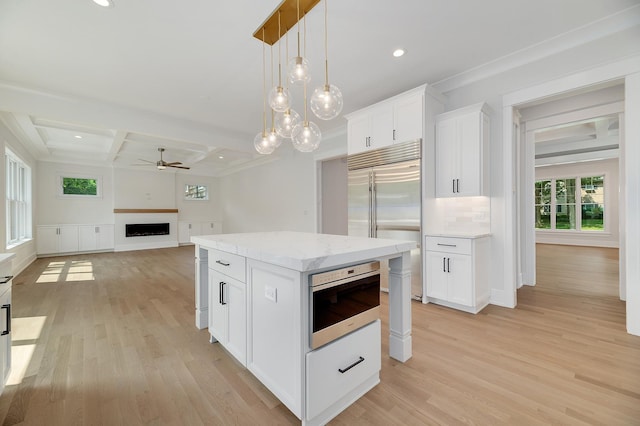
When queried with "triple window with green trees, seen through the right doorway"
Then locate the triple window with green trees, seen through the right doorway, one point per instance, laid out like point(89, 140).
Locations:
point(576, 204)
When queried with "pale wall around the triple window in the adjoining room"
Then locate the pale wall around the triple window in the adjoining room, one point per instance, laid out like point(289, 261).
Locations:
point(608, 238)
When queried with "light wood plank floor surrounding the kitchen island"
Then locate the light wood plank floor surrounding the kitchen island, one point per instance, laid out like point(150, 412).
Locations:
point(109, 339)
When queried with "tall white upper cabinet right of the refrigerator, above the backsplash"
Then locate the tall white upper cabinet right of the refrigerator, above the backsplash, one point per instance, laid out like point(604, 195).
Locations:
point(462, 156)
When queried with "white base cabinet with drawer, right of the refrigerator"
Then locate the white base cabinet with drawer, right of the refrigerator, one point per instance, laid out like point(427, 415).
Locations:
point(457, 272)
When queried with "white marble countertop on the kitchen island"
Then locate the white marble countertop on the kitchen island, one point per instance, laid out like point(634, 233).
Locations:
point(304, 251)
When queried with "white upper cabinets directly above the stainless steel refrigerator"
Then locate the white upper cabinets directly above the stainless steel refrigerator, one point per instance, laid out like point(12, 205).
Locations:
point(395, 120)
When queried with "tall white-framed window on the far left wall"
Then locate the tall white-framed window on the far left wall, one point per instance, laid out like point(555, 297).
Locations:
point(18, 204)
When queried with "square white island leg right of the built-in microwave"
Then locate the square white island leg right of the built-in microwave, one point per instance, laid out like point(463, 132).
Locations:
point(400, 307)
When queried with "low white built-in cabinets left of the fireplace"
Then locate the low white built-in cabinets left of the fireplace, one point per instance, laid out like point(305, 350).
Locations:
point(58, 239)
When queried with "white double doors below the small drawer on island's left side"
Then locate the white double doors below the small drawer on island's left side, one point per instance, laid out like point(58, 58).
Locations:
point(227, 313)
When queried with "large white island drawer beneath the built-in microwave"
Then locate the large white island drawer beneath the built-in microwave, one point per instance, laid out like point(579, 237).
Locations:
point(329, 377)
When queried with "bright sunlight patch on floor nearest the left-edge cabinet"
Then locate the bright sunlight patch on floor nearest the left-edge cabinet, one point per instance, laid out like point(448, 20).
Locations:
point(24, 335)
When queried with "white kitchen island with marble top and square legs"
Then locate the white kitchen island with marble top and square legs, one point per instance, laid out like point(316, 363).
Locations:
point(253, 293)
